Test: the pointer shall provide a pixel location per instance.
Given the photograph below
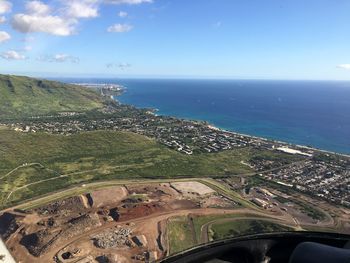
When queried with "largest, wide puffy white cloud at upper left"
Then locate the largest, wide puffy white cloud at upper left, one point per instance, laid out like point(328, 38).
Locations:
point(50, 24)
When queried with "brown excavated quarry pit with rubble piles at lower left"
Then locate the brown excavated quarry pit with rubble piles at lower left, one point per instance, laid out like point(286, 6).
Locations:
point(115, 224)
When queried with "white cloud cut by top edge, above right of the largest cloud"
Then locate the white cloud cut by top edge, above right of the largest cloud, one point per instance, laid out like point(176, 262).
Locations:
point(81, 8)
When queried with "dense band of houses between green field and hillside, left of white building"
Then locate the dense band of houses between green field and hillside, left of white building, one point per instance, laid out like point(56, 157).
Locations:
point(185, 136)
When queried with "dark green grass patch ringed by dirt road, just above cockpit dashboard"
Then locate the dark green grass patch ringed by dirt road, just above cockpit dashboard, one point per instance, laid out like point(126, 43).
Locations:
point(233, 228)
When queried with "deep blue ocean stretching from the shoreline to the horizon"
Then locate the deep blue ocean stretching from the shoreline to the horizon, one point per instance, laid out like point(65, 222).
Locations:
point(312, 113)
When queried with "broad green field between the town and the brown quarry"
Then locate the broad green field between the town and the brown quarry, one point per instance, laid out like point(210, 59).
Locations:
point(32, 164)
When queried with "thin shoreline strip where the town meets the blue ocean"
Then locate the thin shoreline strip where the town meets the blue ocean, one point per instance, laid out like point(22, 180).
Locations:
point(212, 126)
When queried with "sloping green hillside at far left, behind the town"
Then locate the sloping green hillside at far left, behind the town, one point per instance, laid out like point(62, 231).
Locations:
point(23, 96)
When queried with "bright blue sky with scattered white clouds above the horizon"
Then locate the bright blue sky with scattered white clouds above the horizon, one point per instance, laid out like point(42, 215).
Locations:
point(238, 39)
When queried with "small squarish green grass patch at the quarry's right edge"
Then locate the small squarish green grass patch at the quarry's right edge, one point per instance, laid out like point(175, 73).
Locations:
point(179, 235)
